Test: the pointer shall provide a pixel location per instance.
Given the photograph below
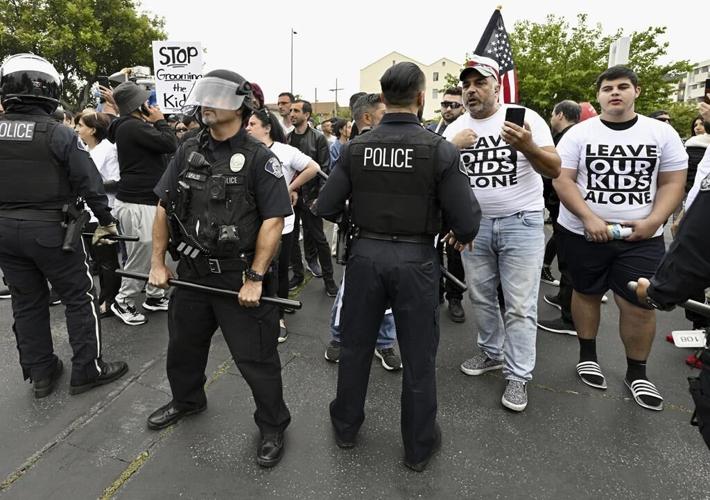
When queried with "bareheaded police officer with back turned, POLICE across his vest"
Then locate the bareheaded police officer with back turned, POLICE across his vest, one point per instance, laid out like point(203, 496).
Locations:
point(401, 179)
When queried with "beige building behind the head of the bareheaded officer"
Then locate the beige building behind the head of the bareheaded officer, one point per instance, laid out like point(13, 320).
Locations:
point(435, 77)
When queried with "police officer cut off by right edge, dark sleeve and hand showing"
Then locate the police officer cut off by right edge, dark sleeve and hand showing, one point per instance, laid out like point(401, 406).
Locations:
point(684, 272)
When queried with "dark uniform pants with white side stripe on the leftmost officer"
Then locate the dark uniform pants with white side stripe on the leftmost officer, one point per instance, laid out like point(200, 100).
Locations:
point(30, 254)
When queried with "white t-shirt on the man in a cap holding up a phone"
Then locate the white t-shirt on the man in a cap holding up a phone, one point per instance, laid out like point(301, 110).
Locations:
point(501, 177)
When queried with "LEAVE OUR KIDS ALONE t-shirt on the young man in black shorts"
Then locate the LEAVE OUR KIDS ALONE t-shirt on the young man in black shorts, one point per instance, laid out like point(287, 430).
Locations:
point(617, 170)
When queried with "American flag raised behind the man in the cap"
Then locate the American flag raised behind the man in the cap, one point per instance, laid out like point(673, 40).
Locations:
point(494, 44)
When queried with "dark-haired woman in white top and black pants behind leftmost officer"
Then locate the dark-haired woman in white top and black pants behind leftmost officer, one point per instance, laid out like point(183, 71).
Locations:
point(92, 128)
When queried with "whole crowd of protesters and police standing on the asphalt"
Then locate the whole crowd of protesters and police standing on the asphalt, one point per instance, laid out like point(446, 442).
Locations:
point(236, 193)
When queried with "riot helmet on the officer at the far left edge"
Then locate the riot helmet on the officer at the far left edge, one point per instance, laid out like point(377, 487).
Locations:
point(29, 79)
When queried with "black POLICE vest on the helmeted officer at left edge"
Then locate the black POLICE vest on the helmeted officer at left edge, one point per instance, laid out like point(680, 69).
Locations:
point(29, 172)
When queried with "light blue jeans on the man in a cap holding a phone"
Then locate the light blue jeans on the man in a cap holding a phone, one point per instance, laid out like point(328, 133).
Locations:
point(509, 251)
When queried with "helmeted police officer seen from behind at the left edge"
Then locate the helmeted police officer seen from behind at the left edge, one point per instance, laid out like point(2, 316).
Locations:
point(43, 169)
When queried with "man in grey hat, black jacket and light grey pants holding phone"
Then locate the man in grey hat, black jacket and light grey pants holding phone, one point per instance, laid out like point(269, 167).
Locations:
point(143, 139)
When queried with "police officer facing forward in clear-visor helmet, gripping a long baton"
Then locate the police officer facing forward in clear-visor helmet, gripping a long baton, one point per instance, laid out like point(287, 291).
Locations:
point(223, 201)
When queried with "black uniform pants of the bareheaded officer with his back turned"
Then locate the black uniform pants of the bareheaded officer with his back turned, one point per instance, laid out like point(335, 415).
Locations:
point(403, 275)
